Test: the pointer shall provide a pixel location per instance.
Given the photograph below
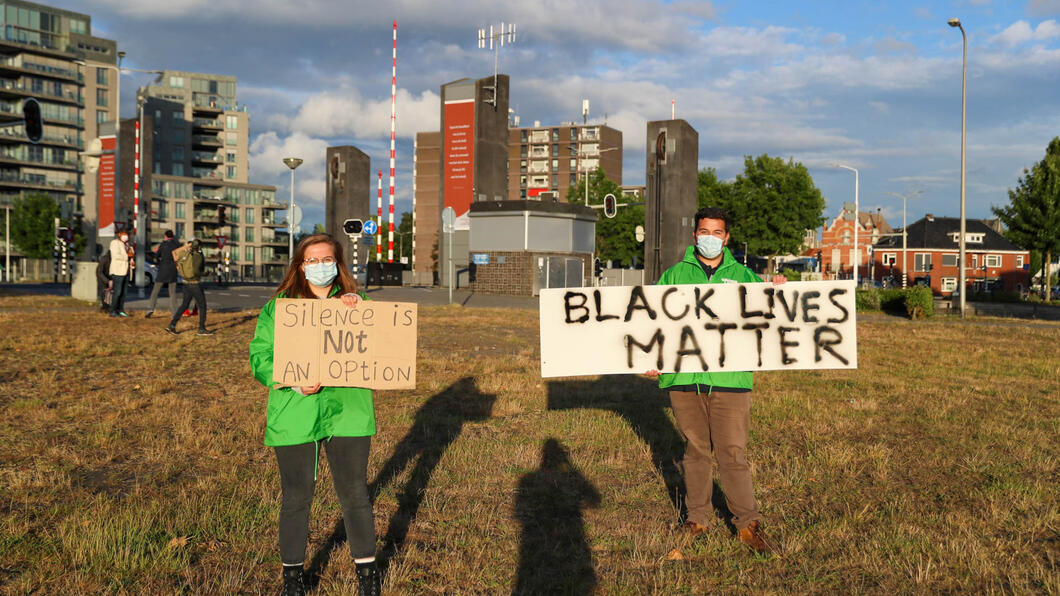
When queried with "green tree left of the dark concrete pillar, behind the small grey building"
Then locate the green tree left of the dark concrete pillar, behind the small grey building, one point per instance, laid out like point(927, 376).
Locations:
point(615, 237)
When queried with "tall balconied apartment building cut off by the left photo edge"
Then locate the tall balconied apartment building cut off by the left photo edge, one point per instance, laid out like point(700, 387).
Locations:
point(50, 55)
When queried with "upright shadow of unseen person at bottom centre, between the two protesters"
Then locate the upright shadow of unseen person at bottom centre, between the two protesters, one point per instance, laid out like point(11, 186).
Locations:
point(555, 555)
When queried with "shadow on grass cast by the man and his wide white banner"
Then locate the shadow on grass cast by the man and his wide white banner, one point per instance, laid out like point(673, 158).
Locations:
point(643, 406)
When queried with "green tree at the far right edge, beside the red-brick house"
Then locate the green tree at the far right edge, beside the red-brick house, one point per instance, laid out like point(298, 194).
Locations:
point(1032, 218)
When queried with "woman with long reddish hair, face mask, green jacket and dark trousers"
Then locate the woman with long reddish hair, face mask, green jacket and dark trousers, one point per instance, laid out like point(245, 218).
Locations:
point(301, 420)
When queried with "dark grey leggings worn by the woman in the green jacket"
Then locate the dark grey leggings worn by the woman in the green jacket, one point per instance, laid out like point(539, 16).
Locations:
point(348, 460)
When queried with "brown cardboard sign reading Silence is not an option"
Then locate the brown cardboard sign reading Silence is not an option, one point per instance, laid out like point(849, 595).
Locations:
point(324, 342)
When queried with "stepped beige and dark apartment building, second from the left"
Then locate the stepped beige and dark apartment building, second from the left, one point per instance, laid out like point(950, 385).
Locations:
point(197, 168)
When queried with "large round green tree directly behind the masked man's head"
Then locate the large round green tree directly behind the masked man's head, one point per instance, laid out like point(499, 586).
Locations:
point(772, 205)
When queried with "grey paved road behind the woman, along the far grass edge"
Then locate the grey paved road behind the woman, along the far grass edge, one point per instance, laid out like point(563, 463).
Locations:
point(238, 297)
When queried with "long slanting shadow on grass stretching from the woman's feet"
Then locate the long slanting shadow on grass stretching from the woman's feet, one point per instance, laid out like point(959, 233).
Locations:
point(437, 426)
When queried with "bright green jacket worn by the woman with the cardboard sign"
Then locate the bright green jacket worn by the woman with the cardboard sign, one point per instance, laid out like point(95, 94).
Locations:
point(295, 419)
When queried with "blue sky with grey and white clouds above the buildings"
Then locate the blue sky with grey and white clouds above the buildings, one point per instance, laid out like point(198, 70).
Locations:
point(873, 85)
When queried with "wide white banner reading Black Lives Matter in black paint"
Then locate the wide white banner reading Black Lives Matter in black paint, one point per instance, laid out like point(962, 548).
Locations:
point(721, 327)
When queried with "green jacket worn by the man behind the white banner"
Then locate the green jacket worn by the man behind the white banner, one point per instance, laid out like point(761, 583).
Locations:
point(690, 272)
